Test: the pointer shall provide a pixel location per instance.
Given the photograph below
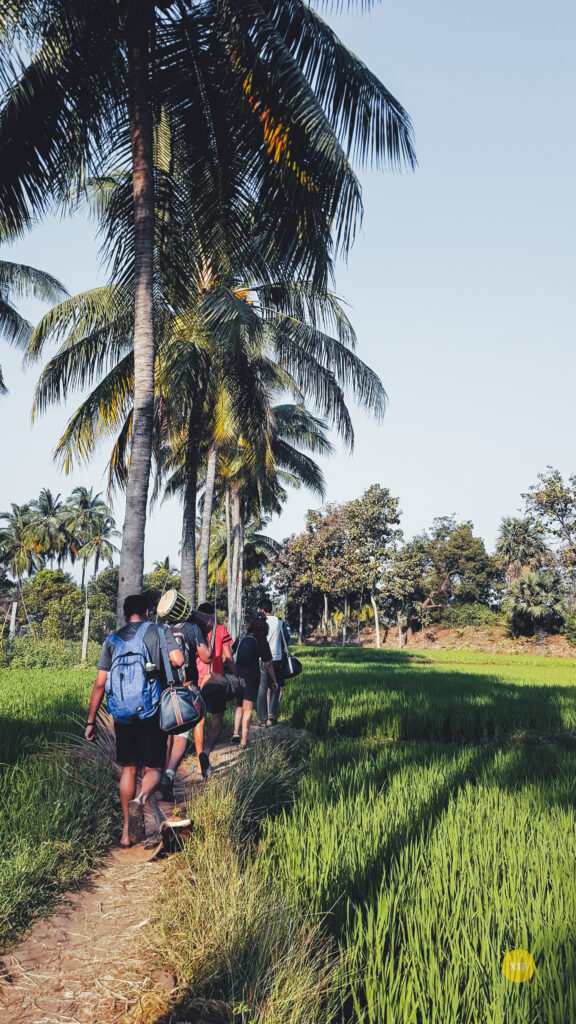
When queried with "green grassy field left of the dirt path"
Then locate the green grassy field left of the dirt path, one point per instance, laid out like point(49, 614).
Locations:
point(58, 809)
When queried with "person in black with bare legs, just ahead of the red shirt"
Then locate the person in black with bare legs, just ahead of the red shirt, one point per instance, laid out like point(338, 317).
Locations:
point(251, 651)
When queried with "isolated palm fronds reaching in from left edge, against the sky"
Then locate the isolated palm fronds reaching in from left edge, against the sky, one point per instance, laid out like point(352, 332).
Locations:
point(18, 281)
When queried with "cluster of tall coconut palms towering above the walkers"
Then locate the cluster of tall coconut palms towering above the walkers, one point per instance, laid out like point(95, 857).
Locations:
point(214, 144)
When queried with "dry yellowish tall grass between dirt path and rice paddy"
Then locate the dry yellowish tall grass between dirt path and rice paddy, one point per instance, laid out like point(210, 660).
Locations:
point(219, 925)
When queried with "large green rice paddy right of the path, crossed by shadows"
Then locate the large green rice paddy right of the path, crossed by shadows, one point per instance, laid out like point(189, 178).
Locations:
point(435, 832)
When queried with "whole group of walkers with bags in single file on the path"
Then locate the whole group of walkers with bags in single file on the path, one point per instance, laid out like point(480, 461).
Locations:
point(160, 680)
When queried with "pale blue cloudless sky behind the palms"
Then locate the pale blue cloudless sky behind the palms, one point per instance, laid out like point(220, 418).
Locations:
point(461, 285)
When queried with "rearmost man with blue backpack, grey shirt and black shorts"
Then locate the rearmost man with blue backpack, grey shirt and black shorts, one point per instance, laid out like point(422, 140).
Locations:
point(132, 675)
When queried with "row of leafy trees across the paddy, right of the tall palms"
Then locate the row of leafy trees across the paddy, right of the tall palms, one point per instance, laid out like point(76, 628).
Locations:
point(354, 557)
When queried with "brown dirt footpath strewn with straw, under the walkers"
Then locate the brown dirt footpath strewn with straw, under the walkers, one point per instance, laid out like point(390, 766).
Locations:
point(88, 964)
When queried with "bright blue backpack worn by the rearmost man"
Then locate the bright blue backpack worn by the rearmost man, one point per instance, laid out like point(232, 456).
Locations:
point(130, 692)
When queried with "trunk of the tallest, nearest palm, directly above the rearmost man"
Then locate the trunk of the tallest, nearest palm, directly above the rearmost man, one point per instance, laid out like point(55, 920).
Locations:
point(139, 38)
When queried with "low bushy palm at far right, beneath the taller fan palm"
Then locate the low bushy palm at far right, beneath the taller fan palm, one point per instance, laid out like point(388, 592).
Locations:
point(536, 603)
